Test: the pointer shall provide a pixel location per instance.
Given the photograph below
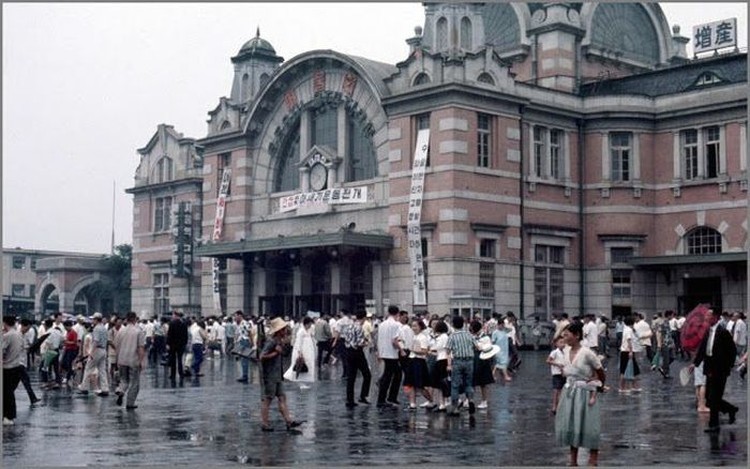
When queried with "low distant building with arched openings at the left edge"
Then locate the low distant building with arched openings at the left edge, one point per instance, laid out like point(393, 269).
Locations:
point(37, 282)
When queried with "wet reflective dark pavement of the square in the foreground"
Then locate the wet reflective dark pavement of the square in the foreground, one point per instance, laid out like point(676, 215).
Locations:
point(215, 422)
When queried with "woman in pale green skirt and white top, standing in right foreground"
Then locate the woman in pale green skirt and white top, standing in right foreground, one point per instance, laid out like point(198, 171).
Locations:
point(577, 422)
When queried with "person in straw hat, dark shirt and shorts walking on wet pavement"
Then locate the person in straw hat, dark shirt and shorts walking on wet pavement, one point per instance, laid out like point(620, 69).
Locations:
point(271, 374)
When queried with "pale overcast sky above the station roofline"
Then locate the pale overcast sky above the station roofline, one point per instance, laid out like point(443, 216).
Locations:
point(85, 85)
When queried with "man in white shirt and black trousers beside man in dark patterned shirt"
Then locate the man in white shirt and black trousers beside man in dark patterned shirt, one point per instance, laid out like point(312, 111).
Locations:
point(388, 351)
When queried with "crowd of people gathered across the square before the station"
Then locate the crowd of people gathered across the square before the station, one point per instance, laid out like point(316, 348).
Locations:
point(444, 362)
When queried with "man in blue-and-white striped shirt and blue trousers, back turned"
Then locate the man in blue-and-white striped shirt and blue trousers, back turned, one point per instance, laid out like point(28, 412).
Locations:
point(461, 365)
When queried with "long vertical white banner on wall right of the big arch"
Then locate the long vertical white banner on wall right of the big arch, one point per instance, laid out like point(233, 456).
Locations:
point(413, 228)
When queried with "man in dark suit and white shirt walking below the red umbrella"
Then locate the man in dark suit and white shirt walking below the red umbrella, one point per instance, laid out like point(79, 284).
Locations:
point(717, 352)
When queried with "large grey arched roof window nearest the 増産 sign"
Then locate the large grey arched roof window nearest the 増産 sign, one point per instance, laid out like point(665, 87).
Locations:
point(626, 29)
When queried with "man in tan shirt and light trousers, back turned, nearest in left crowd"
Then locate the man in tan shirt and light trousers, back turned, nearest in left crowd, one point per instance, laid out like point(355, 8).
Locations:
point(130, 343)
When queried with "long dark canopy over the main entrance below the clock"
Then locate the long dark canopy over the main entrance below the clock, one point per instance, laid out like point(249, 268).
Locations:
point(342, 238)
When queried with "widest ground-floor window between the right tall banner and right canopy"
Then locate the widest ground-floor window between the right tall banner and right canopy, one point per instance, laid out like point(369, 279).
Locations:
point(549, 279)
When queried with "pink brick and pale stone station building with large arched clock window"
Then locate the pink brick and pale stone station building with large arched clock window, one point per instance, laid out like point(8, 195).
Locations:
point(578, 161)
